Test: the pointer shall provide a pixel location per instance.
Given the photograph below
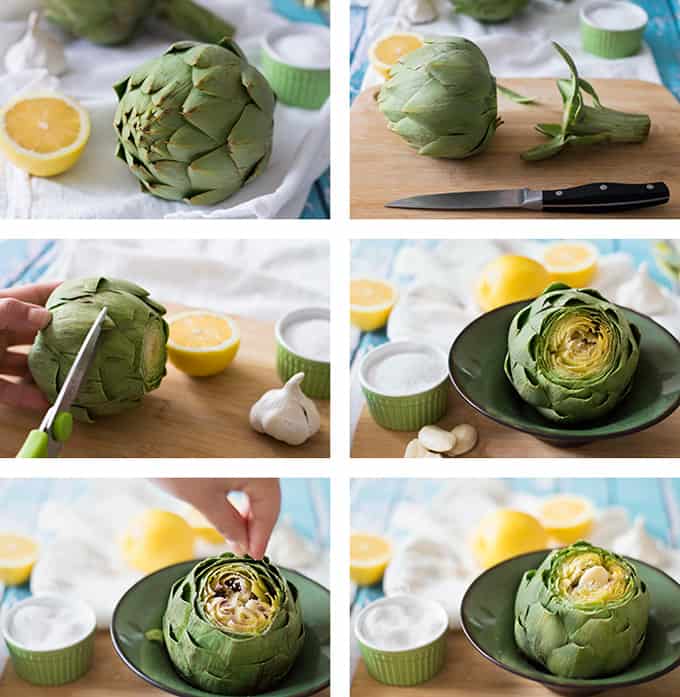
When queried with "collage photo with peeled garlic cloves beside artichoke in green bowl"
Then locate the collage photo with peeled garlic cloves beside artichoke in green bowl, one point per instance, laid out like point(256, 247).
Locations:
point(515, 348)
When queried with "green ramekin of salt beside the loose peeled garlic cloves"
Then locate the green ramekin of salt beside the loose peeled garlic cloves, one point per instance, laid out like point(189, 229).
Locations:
point(405, 412)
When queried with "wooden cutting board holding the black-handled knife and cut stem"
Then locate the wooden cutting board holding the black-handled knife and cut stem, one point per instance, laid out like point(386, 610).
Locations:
point(384, 168)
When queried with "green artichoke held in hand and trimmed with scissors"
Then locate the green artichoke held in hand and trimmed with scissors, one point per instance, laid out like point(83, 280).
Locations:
point(131, 354)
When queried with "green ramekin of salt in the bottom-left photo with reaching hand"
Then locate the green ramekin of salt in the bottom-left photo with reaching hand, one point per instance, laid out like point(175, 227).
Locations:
point(55, 667)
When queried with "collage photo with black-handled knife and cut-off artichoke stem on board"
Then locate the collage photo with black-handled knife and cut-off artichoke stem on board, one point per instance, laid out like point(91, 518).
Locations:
point(514, 108)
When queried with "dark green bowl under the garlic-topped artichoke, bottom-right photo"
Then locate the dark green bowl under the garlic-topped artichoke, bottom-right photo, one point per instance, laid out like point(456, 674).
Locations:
point(487, 614)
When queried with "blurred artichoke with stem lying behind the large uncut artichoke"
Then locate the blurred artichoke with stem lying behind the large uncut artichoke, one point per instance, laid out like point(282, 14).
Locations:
point(111, 22)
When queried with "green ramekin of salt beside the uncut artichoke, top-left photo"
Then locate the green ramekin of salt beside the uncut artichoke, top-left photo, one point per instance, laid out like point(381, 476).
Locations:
point(296, 85)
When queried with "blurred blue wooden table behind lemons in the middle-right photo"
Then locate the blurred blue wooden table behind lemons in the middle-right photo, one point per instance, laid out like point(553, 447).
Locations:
point(377, 257)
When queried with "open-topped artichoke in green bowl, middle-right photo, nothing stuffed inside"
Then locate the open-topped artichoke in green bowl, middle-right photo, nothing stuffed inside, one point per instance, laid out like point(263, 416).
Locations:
point(572, 354)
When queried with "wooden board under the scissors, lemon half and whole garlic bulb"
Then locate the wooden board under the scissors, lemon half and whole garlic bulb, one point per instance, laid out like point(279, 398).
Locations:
point(187, 417)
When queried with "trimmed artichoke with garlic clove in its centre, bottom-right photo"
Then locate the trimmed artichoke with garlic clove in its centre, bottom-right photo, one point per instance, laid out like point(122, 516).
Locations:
point(583, 613)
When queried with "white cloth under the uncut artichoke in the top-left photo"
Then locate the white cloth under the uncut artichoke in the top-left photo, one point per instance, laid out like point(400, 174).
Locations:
point(101, 186)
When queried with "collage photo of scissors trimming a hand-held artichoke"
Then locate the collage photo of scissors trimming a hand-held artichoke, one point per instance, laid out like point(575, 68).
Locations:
point(165, 348)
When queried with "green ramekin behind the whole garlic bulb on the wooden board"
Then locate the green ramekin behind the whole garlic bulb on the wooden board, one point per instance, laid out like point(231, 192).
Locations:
point(289, 362)
